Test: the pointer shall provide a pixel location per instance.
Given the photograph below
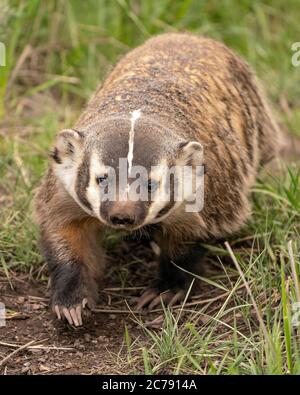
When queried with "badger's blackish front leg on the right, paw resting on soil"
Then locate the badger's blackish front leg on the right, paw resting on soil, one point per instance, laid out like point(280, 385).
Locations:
point(174, 277)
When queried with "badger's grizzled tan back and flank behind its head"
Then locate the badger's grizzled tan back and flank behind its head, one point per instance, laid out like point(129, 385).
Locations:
point(205, 92)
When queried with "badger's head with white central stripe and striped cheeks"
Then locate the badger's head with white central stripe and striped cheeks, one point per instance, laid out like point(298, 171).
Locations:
point(127, 171)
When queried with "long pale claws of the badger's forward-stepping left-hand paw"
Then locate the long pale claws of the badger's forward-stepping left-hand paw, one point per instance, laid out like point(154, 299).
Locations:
point(72, 313)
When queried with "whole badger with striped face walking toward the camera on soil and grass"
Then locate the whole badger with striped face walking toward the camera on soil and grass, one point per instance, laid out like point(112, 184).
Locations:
point(177, 100)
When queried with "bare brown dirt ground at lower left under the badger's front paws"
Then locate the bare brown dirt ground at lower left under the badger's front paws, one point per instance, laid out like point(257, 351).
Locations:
point(52, 347)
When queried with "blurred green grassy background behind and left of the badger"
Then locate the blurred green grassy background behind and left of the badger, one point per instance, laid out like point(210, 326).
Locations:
point(58, 51)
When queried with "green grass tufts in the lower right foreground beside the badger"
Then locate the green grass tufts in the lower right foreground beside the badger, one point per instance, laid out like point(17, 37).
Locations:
point(226, 336)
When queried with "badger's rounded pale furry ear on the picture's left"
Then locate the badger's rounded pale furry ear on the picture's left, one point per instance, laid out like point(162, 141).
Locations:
point(67, 144)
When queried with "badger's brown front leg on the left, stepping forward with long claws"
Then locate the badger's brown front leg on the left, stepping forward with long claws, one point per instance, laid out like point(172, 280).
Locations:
point(76, 262)
